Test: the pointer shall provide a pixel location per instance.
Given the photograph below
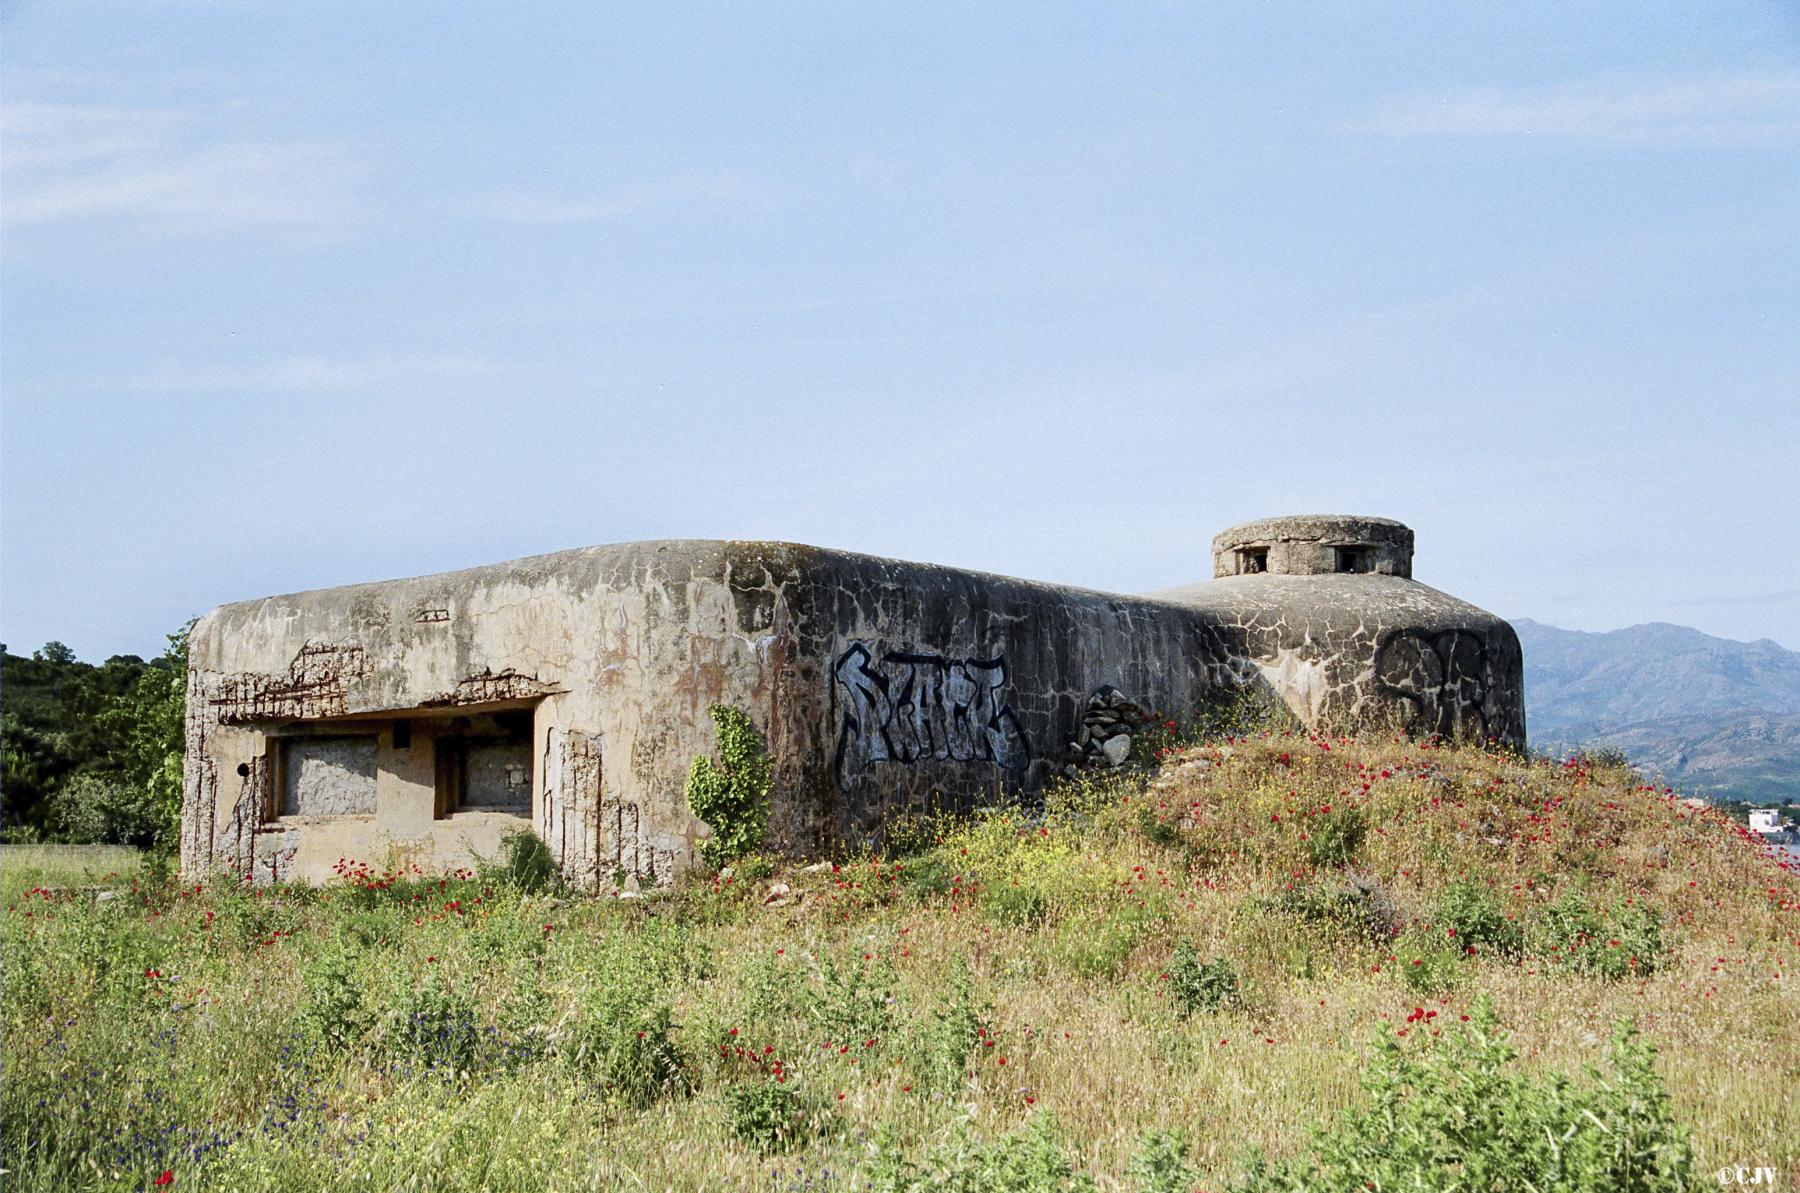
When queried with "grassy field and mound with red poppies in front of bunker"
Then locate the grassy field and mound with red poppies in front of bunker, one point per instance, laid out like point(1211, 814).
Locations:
point(1272, 964)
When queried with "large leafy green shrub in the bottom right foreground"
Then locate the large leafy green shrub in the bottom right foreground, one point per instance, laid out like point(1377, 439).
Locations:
point(1457, 1117)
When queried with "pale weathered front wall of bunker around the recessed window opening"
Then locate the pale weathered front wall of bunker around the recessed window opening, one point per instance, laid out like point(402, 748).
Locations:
point(618, 652)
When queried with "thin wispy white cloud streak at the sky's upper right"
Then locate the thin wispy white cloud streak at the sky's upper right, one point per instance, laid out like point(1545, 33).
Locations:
point(1723, 112)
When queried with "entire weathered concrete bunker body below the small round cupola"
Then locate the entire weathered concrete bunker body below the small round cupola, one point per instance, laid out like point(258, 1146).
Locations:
point(879, 686)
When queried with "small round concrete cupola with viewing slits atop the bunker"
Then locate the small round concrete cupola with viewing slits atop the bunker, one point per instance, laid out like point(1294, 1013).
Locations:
point(1315, 546)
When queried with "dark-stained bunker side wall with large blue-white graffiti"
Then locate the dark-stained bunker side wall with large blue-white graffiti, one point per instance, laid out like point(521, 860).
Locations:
point(910, 686)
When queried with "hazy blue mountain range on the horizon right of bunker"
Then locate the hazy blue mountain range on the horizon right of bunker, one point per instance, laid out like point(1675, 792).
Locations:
point(1713, 717)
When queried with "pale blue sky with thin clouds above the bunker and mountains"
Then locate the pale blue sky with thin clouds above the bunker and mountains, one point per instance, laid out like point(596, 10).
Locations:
point(300, 296)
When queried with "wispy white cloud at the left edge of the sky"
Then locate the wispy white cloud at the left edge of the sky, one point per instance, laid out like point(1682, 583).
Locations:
point(163, 168)
